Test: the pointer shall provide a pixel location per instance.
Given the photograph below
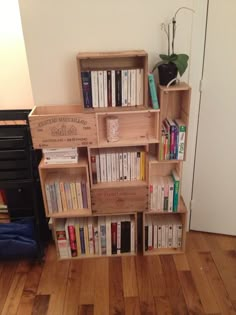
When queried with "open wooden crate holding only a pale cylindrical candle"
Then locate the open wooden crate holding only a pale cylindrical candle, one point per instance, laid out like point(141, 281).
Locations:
point(139, 127)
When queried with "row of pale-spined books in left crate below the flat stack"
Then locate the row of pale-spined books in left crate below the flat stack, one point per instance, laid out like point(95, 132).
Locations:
point(65, 193)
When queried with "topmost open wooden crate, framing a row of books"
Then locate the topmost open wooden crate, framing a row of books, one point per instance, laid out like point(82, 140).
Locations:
point(134, 59)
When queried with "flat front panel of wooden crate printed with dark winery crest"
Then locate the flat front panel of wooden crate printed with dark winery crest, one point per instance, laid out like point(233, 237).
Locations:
point(67, 131)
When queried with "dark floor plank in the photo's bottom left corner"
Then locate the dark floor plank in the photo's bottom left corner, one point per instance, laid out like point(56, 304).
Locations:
point(6, 278)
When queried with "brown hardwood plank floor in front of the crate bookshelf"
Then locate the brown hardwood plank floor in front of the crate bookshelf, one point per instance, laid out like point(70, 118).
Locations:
point(203, 281)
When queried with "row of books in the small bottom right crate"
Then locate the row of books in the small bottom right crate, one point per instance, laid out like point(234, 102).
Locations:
point(163, 232)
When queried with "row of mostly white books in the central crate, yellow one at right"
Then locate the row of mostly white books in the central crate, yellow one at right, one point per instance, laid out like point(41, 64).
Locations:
point(110, 165)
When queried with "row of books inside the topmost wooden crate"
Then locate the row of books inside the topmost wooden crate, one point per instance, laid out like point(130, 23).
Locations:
point(111, 88)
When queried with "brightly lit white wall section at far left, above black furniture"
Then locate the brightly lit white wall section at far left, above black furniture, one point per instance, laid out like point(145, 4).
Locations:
point(15, 86)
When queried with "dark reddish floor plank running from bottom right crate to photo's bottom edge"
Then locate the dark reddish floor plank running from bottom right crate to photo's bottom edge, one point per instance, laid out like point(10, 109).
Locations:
point(173, 287)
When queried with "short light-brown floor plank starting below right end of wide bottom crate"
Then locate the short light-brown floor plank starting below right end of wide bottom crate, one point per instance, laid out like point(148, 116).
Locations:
point(130, 285)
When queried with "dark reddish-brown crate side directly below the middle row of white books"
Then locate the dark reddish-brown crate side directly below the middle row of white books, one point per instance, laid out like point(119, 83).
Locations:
point(119, 199)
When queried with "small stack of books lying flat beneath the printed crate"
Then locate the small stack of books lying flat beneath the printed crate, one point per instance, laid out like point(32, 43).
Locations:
point(61, 155)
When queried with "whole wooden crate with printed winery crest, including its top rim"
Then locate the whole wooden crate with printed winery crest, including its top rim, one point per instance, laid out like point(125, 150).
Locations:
point(62, 126)
